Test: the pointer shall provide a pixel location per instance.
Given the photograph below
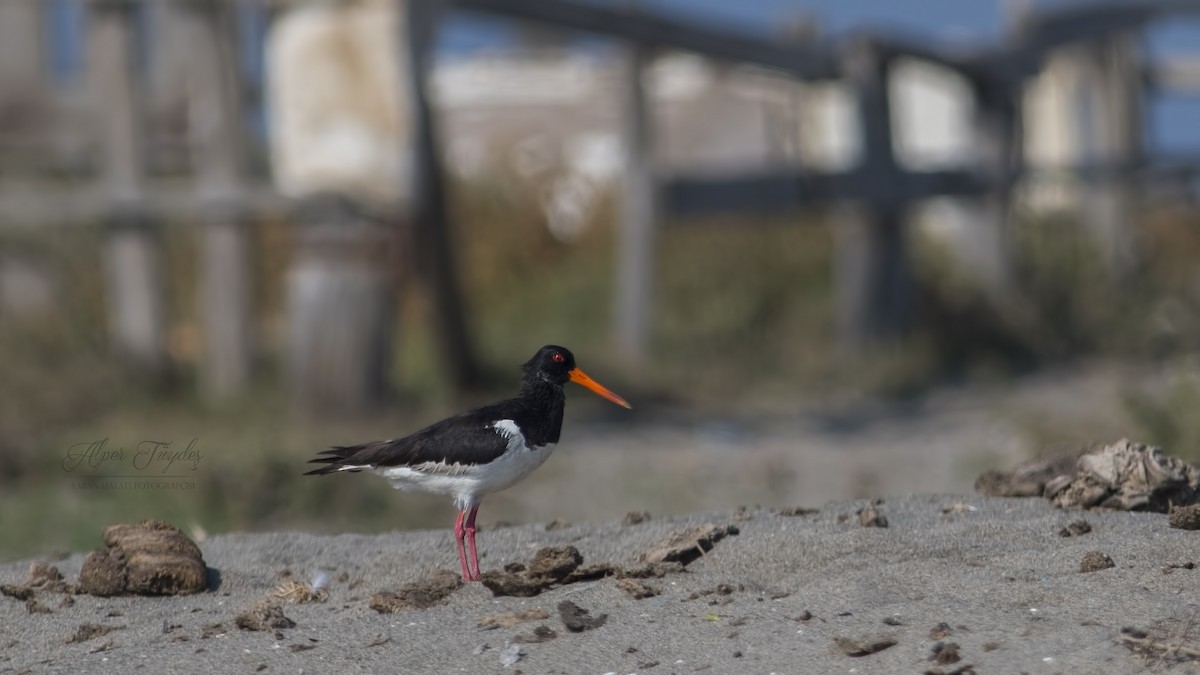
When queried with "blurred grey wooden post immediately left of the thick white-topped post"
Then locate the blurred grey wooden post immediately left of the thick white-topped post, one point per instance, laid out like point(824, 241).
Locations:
point(202, 31)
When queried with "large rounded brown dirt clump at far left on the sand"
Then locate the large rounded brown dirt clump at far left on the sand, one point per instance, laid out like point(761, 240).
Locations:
point(152, 558)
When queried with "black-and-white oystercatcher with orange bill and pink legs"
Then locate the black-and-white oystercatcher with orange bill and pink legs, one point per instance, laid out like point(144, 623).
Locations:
point(478, 452)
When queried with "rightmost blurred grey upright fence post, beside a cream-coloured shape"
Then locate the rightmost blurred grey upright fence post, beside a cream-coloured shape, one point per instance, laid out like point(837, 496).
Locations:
point(1111, 112)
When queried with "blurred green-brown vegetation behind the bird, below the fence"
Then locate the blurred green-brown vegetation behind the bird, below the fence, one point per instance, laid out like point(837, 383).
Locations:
point(745, 324)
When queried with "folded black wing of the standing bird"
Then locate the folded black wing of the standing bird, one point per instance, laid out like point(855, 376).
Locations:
point(465, 439)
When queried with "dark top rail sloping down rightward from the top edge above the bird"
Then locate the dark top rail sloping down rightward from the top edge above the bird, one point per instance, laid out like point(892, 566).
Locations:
point(658, 32)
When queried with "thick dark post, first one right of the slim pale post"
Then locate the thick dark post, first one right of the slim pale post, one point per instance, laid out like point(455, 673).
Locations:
point(873, 276)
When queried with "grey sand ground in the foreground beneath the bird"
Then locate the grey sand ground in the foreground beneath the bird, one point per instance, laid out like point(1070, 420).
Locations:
point(999, 575)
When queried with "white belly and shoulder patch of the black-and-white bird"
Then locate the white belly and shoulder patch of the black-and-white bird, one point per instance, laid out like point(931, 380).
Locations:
point(469, 483)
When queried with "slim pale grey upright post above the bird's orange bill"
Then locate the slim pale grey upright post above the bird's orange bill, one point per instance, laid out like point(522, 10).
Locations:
point(639, 216)
